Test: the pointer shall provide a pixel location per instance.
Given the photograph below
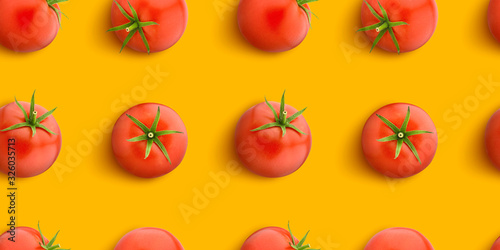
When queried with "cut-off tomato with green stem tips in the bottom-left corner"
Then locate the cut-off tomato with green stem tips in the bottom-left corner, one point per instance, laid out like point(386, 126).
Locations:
point(27, 238)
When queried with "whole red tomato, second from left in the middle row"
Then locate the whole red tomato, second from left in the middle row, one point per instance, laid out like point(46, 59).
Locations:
point(149, 140)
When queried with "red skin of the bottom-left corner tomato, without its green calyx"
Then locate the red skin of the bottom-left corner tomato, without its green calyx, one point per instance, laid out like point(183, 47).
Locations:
point(27, 238)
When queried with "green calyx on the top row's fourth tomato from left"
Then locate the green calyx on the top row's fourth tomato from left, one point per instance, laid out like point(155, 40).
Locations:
point(383, 26)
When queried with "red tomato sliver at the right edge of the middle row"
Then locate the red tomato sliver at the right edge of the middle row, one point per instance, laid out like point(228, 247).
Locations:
point(493, 139)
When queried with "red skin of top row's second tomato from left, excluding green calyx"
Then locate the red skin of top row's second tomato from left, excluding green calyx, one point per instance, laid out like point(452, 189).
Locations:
point(171, 16)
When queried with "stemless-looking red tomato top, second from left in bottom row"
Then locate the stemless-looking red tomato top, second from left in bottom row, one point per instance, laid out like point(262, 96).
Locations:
point(149, 238)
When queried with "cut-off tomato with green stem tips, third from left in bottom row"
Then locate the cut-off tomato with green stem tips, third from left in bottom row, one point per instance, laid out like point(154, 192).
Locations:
point(274, 238)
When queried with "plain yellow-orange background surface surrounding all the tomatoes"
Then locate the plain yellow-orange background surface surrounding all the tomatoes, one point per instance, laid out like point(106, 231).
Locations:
point(214, 76)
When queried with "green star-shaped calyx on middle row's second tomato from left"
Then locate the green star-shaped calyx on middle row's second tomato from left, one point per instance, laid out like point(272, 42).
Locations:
point(151, 135)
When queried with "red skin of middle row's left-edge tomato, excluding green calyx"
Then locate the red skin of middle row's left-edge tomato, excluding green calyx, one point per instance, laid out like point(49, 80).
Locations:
point(34, 155)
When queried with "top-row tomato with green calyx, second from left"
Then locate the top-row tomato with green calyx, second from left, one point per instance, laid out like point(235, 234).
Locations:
point(149, 25)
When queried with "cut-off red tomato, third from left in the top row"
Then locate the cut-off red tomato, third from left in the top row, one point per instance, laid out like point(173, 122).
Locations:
point(276, 25)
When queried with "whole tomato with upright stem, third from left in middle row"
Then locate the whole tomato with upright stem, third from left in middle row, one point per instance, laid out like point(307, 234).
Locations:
point(273, 145)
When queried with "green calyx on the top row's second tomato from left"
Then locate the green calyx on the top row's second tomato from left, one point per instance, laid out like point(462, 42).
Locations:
point(133, 26)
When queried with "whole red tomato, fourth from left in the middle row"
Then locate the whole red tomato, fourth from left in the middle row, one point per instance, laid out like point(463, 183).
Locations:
point(395, 144)
